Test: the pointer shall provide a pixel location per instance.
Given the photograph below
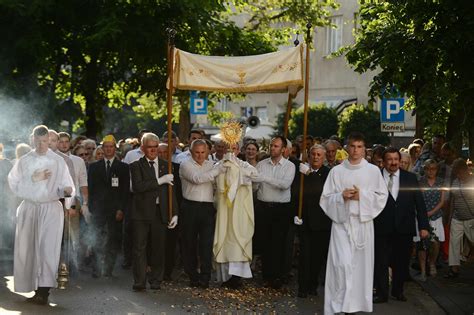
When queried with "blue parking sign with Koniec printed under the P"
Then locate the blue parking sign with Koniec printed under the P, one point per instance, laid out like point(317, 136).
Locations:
point(392, 116)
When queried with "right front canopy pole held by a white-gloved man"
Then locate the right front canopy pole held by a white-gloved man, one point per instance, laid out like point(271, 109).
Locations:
point(309, 39)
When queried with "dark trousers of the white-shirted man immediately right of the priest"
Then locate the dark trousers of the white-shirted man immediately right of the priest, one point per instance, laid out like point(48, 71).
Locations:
point(273, 225)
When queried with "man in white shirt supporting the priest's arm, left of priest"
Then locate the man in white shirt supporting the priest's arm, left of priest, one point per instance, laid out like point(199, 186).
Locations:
point(198, 215)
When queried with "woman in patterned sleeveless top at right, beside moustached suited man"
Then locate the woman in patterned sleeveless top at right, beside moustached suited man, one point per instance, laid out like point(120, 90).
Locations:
point(433, 195)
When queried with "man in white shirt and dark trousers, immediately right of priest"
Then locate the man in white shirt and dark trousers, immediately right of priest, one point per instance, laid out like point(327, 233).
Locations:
point(273, 212)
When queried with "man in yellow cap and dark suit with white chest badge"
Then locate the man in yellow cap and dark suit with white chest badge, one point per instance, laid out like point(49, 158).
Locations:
point(109, 187)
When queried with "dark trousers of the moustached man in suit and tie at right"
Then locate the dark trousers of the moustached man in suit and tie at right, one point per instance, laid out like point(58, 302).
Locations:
point(391, 250)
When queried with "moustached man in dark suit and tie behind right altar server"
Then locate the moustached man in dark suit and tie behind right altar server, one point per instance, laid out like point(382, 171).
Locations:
point(395, 227)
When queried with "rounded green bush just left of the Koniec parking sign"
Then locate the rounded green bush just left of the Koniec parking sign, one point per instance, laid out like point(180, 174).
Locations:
point(362, 119)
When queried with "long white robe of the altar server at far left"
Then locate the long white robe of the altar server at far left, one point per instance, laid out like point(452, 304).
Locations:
point(40, 219)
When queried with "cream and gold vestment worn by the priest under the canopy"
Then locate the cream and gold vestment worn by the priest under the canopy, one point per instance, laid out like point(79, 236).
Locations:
point(234, 221)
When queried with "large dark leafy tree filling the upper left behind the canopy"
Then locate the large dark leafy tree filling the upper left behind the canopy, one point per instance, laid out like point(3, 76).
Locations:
point(95, 54)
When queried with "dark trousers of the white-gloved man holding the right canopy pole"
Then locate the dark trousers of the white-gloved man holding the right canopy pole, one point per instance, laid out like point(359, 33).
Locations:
point(314, 246)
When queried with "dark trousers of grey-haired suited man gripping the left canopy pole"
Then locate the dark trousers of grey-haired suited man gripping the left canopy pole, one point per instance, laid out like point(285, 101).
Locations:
point(149, 239)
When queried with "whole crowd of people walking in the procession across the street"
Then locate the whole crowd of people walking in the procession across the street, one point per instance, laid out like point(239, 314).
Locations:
point(366, 211)
